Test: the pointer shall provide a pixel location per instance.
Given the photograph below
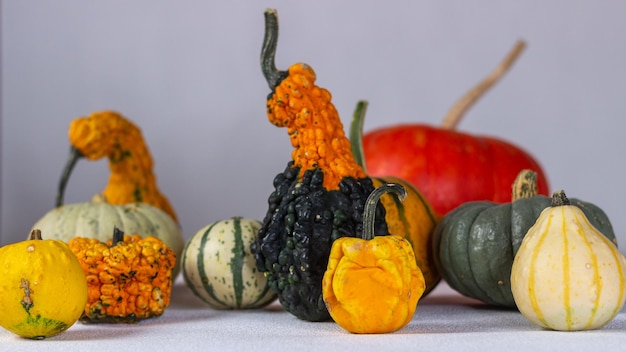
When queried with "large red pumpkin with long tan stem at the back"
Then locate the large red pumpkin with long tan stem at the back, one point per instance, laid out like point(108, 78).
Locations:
point(451, 167)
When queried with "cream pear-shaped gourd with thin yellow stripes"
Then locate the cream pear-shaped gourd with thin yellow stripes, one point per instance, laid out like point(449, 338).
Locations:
point(566, 274)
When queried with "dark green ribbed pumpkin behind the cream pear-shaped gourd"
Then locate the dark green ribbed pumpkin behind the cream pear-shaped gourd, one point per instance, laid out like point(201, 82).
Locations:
point(475, 244)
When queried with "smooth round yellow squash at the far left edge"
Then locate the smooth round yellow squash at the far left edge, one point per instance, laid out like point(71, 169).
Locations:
point(43, 289)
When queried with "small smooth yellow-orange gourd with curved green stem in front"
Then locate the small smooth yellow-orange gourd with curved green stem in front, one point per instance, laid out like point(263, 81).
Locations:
point(372, 285)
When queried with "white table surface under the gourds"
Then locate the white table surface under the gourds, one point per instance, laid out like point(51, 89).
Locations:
point(443, 321)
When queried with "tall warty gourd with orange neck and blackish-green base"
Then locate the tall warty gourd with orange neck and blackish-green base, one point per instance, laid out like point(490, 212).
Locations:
point(318, 198)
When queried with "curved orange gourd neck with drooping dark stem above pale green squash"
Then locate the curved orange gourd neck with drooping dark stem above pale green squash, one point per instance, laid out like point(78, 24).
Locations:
point(109, 134)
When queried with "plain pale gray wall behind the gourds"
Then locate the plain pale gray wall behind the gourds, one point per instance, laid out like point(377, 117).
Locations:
point(187, 72)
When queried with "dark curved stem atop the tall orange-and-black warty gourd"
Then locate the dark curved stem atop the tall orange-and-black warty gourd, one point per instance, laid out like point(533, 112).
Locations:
point(268, 51)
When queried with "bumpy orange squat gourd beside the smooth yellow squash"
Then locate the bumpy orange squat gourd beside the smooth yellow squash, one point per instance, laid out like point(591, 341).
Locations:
point(129, 278)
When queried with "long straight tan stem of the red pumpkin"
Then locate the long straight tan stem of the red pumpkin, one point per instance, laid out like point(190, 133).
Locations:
point(455, 114)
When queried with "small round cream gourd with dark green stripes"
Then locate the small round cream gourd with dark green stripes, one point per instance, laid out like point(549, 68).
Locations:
point(220, 270)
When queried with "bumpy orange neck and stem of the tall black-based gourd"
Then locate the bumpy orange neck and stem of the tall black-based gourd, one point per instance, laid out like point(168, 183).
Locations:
point(312, 122)
